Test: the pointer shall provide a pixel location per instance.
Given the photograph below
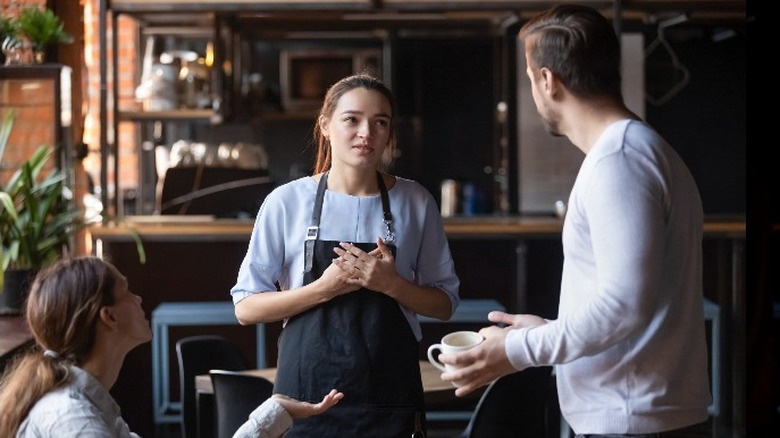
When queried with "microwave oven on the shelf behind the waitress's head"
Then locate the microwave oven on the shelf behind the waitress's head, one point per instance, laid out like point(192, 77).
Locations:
point(306, 74)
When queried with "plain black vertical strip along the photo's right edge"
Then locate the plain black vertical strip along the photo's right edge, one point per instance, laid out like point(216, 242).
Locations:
point(763, 241)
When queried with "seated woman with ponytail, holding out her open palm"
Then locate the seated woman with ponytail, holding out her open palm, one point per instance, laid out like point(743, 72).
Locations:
point(85, 320)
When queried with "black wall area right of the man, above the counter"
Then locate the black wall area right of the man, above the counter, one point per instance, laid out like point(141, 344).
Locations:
point(706, 121)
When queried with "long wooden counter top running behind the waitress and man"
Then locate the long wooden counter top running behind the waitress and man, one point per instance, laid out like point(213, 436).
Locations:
point(478, 227)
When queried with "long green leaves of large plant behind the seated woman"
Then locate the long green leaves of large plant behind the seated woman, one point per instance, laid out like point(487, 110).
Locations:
point(37, 219)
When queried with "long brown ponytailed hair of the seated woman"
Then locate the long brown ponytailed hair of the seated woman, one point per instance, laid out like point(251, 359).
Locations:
point(62, 310)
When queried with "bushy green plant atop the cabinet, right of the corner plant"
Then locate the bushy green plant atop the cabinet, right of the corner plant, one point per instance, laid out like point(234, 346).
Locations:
point(42, 28)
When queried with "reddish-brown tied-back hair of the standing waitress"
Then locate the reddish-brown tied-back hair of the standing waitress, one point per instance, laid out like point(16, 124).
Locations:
point(362, 80)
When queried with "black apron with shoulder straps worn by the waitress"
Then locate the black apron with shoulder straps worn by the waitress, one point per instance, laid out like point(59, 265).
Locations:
point(359, 343)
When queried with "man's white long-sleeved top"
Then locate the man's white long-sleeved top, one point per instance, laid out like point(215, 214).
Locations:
point(629, 342)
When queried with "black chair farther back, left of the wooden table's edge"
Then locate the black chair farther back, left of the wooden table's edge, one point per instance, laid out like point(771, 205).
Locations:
point(197, 355)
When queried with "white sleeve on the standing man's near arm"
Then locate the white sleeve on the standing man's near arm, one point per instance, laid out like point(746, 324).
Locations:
point(618, 225)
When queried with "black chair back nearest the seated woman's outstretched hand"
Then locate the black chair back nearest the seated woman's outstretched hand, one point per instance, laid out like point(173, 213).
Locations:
point(236, 395)
